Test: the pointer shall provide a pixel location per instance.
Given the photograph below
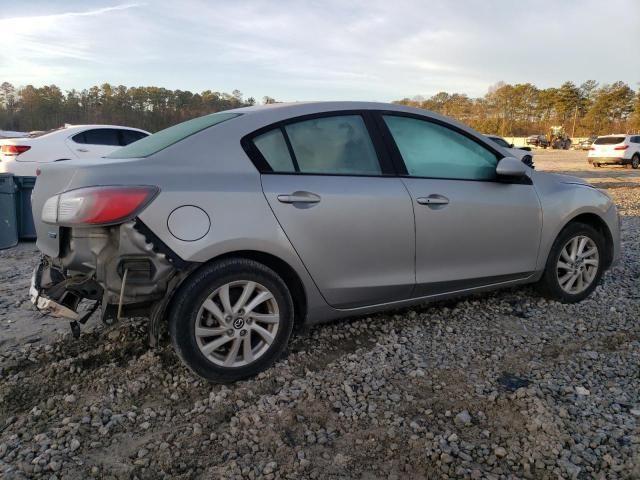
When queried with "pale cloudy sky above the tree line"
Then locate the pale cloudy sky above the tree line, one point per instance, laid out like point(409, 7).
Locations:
point(295, 50)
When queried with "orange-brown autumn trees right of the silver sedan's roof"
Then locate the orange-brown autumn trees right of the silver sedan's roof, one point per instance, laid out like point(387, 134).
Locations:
point(524, 109)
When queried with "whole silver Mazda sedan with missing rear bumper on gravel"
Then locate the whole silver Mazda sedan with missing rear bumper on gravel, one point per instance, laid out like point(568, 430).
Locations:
point(234, 226)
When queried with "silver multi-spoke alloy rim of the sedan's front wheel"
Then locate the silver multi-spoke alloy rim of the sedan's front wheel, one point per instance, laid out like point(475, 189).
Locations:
point(578, 264)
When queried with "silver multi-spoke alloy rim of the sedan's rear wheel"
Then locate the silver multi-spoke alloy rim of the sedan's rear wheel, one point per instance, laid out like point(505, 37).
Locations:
point(237, 323)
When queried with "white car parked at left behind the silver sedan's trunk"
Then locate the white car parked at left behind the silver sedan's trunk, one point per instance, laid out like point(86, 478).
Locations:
point(21, 156)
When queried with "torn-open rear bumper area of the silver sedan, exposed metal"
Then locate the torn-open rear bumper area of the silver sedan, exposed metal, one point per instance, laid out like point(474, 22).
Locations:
point(123, 268)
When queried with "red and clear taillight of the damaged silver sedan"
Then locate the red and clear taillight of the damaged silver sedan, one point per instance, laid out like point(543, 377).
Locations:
point(97, 205)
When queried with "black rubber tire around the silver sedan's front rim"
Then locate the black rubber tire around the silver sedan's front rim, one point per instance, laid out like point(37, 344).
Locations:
point(549, 284)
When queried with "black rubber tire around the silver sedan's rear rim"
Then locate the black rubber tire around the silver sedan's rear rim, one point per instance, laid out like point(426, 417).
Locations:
point(183, 317)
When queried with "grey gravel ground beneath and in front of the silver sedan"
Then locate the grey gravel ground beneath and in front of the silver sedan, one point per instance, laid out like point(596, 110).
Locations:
point(504, 385)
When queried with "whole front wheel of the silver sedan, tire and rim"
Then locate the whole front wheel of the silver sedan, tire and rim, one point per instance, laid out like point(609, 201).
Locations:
point(575, 264)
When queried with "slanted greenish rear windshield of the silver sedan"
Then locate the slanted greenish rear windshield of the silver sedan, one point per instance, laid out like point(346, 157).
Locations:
point(167, 137)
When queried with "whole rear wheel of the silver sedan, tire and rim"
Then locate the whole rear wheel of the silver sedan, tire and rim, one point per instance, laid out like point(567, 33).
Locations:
point(231, 320)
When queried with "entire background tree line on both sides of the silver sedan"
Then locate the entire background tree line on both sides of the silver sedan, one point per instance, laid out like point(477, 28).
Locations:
point(509, 110)
